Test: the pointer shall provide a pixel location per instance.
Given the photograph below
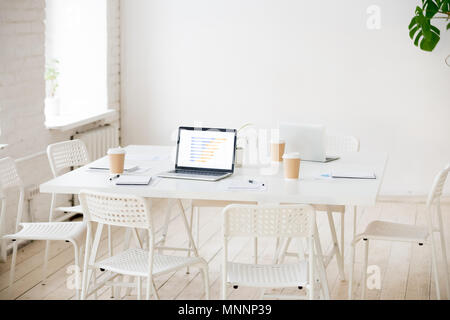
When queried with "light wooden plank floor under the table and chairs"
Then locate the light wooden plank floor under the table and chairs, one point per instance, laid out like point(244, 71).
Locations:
point(405, 268)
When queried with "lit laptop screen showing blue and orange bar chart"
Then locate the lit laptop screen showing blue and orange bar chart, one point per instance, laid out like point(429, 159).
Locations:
point(206, 148)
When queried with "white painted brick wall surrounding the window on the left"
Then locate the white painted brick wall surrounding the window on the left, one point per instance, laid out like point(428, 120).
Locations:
point(22, 92)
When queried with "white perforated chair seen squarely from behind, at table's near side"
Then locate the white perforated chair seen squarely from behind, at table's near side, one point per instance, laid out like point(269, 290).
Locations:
point(290, 221)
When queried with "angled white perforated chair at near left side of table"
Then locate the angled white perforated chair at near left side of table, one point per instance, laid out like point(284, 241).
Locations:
point(133, 213)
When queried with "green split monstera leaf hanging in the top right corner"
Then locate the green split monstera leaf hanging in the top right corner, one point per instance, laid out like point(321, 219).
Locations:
point(425, 35)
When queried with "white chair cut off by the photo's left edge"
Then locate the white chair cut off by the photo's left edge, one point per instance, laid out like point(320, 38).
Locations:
point(72, 232)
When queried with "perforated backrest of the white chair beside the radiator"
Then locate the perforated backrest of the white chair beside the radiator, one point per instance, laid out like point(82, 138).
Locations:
point(66, 154)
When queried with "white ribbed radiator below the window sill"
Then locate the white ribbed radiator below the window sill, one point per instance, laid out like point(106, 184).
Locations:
point(99, 140)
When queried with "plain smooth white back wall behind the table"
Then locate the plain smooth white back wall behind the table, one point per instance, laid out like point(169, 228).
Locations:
point(228, 62)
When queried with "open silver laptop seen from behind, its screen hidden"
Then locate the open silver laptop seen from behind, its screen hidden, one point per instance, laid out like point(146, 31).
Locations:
point(308, 140)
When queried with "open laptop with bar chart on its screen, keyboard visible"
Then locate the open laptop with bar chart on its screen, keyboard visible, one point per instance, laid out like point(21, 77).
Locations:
point(204, 154)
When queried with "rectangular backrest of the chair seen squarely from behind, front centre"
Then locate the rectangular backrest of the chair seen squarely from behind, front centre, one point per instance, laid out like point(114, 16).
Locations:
point(294, 221)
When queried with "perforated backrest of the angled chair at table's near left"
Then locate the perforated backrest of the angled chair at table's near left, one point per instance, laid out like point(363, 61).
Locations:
point(115, 209)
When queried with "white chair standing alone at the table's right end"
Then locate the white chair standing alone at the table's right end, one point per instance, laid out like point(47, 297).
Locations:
point(389, 231)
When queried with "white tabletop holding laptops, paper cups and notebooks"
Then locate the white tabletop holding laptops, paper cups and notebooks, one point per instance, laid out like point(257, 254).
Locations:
point(310, 188)
